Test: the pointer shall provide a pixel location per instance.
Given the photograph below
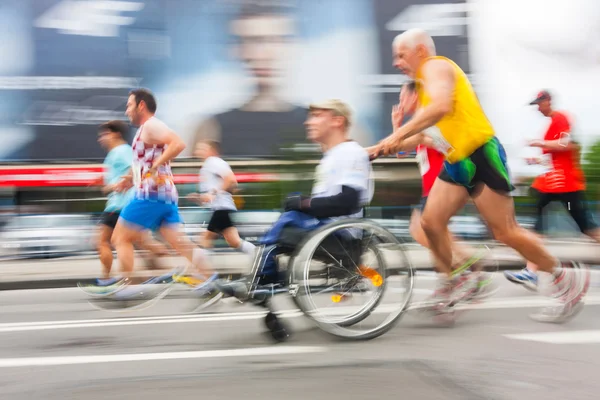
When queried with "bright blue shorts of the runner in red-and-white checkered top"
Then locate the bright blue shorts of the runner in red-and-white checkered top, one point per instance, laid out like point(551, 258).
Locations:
point(151, 215)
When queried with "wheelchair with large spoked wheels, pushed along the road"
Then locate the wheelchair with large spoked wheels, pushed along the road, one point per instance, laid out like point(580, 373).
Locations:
point(328, 268)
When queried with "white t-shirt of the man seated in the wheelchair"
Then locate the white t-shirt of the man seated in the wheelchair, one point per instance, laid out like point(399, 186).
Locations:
point(346, 164)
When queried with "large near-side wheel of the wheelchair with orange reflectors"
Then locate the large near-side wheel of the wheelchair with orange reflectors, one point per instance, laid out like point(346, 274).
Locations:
point(348, 260)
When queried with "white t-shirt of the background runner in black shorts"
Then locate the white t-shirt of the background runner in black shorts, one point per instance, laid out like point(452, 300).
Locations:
point(212, 174)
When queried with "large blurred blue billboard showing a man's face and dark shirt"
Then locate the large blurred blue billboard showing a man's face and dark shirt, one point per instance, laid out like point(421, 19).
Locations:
point(241, 71)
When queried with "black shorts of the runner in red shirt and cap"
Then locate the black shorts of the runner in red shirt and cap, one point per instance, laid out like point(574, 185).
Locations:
point(574, 202)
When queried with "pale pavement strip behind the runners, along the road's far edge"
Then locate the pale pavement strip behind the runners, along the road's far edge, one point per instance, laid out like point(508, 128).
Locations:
point(66, 272)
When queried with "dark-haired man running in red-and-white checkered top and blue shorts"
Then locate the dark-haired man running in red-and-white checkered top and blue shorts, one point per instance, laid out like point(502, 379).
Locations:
point(155, 203)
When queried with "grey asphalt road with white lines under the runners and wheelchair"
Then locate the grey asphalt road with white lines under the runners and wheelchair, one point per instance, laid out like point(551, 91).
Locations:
point(56, 346)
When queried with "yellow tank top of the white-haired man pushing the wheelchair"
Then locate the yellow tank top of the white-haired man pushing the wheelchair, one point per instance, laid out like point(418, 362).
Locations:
point(466, 127)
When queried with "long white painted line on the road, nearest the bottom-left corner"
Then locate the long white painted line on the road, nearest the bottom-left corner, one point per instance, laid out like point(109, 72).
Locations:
point(113, 358)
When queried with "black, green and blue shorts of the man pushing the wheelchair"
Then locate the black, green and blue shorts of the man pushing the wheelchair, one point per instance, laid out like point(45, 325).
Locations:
point(486, 166)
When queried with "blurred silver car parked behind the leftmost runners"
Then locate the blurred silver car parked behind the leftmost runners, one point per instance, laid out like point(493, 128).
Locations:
point(48, 235)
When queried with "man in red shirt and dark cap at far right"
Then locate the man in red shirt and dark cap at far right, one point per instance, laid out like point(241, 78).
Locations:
point(563, 180)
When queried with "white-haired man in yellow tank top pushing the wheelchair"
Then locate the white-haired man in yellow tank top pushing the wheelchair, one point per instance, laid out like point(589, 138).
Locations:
point(475, 166)
